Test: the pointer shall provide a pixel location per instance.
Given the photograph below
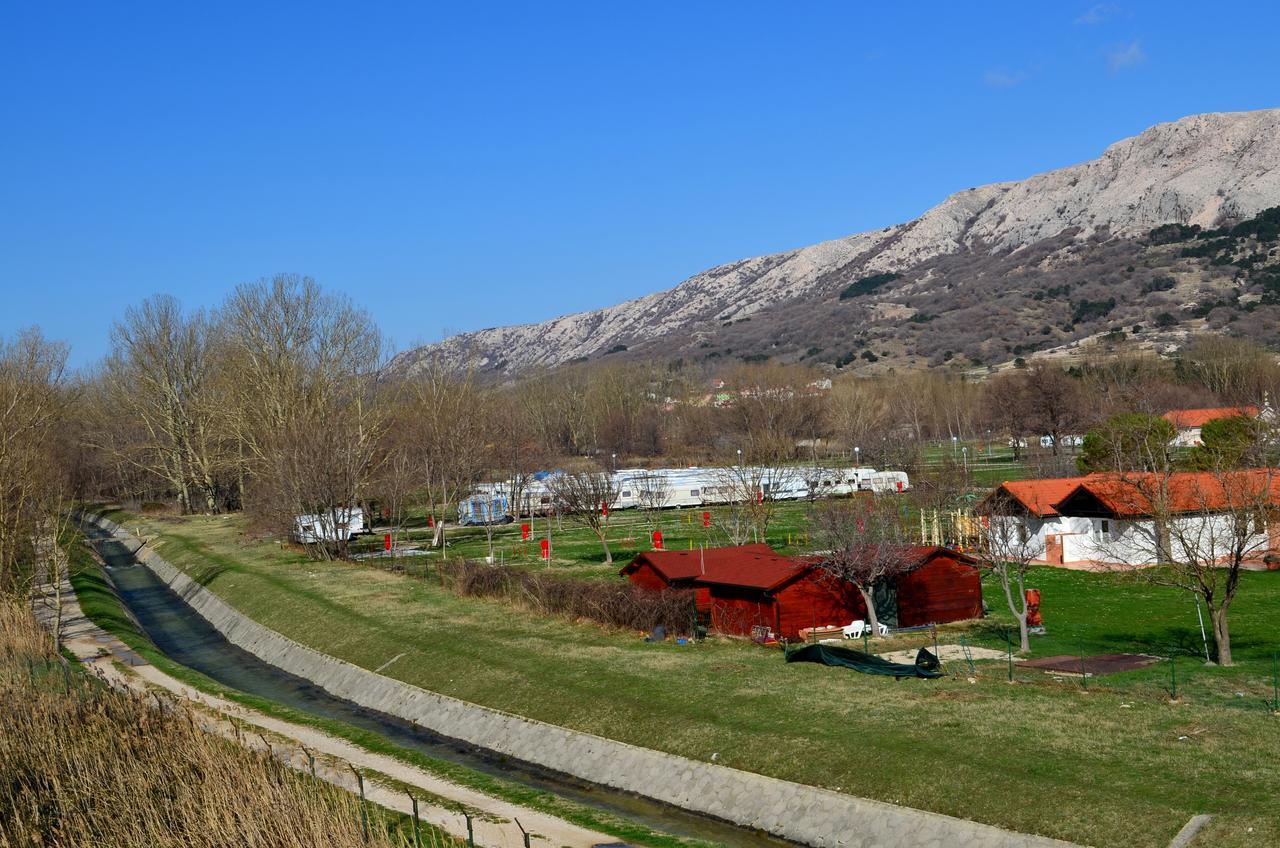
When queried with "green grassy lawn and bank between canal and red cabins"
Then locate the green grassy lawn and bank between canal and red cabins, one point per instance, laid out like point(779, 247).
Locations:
point(1114, 765)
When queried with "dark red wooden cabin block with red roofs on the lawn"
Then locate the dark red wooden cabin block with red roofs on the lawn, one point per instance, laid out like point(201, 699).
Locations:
point(751, 586)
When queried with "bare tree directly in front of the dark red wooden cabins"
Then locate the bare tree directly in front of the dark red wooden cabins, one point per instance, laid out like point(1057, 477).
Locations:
point(863, 544)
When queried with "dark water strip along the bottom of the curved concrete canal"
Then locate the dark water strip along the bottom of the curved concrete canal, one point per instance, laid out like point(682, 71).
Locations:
point(184, 636)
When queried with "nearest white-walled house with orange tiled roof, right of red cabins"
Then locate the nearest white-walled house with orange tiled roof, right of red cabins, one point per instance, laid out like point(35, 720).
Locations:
point(1110, 521)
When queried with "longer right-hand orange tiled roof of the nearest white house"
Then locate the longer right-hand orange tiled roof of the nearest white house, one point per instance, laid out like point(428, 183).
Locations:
point(1141, 494)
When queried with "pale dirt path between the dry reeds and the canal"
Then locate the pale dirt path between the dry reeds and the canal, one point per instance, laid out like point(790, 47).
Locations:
point(441, 803)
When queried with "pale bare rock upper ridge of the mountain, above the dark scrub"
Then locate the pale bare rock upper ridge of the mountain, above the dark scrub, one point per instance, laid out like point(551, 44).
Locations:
point(1201, 170)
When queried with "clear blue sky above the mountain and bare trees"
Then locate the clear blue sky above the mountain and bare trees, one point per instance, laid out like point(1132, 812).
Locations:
point(458, 167)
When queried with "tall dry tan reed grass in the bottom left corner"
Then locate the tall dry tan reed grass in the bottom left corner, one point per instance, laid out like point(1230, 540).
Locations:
point(83, 764)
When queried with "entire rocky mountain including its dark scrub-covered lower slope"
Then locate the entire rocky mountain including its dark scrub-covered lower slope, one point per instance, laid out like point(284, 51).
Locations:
point(991, 273)
